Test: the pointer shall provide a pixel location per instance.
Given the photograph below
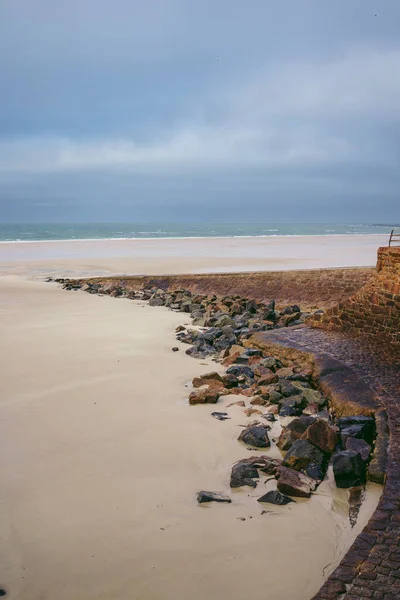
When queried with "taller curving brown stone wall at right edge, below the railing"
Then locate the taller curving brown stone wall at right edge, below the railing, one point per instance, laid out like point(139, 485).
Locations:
point(373, 312)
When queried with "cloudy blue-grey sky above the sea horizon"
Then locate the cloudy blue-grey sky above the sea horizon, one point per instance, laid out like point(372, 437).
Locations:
point(219, 110)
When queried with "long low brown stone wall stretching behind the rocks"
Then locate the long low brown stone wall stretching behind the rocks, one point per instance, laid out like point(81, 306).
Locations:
point(320, 288)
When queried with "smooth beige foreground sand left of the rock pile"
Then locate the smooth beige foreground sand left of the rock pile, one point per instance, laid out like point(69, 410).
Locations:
point(101, 458)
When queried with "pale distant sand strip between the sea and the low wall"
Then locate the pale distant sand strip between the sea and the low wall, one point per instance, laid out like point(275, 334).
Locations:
point(80, 258)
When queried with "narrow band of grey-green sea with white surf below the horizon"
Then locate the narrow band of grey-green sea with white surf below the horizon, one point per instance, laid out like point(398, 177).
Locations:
point(93, 231)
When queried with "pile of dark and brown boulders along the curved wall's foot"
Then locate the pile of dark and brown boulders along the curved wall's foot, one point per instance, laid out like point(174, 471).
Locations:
point(310, 441)
